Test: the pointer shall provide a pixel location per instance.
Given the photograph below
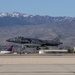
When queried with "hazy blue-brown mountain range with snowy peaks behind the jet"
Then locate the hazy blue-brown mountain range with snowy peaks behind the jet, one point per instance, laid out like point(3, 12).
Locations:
point(37, 26)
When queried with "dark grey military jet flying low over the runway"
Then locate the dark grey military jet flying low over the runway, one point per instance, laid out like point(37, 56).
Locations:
point(33, 42)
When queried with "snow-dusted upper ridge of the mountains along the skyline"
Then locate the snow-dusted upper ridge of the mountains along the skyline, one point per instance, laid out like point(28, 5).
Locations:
point(25, 15)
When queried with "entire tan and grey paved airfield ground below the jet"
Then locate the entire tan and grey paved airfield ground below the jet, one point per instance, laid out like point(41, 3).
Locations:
point(37, 65)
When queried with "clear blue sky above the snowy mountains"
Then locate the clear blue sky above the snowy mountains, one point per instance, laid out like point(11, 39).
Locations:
point(39, 7)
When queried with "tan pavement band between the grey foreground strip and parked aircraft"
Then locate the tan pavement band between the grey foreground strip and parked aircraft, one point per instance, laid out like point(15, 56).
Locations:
point(36, 59)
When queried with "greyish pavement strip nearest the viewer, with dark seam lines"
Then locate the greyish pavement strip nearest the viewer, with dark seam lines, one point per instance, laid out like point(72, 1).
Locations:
point(45, 69)
